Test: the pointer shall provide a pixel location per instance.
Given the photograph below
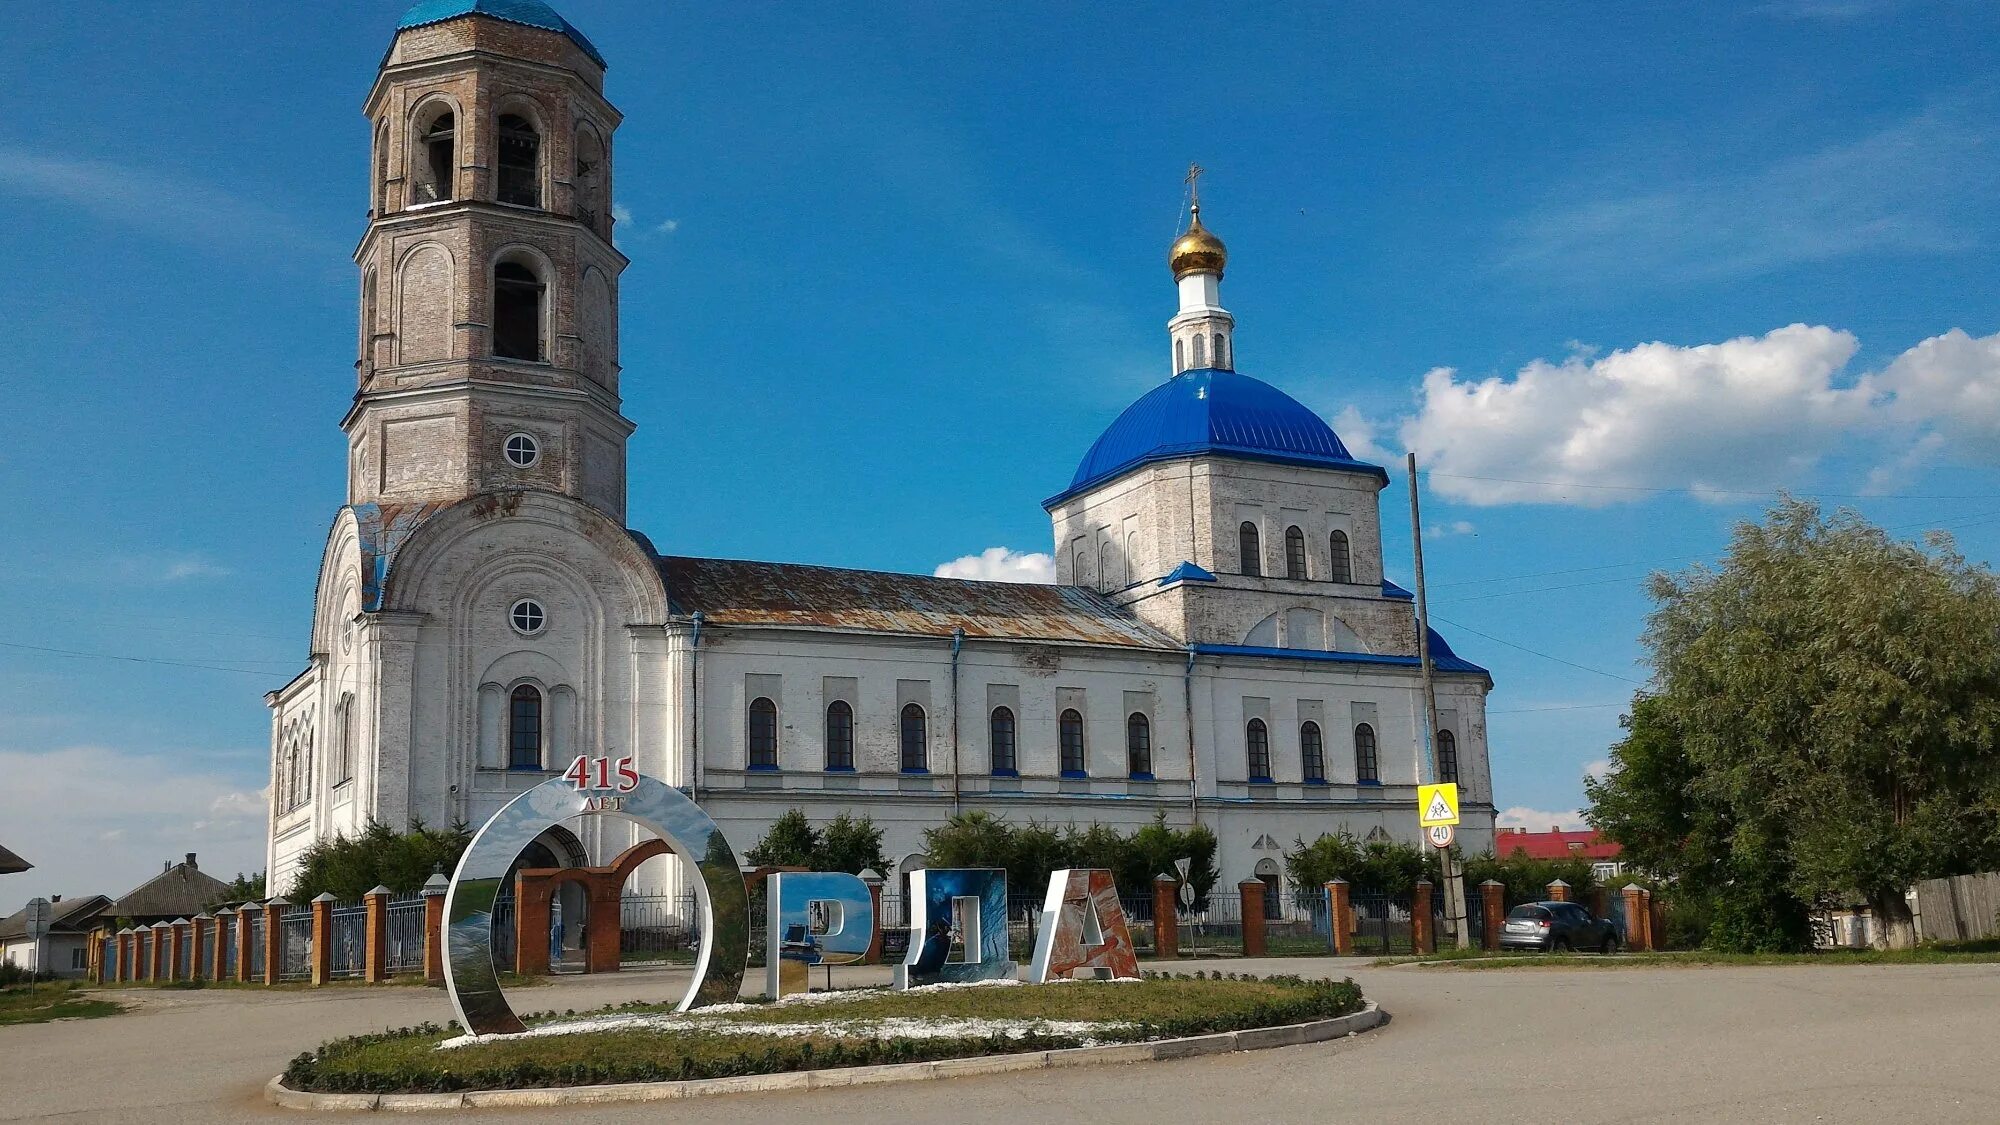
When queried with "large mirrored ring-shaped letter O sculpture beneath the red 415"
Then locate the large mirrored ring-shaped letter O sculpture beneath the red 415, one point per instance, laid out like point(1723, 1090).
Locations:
point(469, 968)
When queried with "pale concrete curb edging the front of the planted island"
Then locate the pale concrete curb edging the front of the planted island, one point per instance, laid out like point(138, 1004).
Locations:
point(1219, 1044)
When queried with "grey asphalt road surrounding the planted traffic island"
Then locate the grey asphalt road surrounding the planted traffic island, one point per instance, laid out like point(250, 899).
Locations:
point(1769, 1044)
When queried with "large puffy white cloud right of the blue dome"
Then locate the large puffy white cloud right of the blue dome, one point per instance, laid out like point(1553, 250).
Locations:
point(1747, 415)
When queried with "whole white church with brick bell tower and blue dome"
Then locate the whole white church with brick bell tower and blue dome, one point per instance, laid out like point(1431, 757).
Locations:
point(1221, 644)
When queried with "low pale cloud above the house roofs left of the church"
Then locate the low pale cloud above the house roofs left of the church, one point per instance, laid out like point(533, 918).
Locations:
point(101, 822)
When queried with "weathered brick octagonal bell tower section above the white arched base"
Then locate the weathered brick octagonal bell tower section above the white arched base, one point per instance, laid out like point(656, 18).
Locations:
point(489, 341)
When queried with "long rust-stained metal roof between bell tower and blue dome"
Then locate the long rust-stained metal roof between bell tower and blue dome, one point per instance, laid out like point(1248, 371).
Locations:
point(729, 592)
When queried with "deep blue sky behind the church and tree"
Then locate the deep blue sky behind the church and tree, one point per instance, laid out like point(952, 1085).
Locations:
point(895, 267)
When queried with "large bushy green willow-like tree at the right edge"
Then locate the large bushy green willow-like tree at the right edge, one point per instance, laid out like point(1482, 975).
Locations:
point(1825, 720)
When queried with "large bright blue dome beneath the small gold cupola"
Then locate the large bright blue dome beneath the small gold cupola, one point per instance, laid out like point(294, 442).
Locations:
point(1215, 413)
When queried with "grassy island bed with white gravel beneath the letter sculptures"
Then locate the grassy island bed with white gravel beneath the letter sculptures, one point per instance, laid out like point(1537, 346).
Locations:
point(1159, 1008)
